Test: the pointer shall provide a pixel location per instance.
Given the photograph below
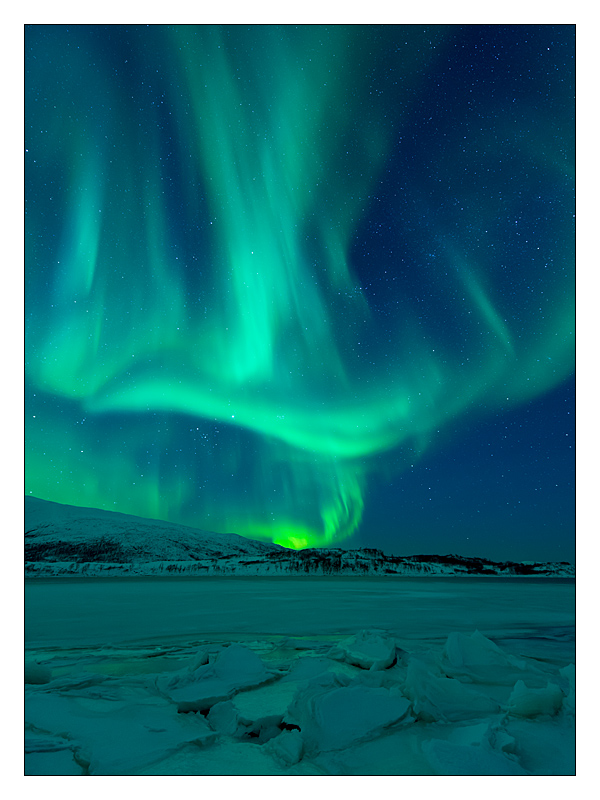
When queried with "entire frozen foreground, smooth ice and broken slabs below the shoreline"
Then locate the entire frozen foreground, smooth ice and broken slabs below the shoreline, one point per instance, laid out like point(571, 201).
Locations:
point(287, 677)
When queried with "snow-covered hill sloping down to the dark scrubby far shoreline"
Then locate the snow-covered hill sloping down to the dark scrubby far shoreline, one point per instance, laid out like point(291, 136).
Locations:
point(68, 540)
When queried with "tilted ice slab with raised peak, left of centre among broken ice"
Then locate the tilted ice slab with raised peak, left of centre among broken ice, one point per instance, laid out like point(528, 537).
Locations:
point(236, 667)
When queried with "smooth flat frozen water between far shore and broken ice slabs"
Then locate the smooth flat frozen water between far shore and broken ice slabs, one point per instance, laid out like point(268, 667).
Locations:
point(537, 613)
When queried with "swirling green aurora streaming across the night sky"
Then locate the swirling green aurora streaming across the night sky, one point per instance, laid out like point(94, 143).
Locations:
point(269, 341)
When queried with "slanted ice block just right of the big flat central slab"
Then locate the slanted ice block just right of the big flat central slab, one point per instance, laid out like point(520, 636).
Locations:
point(439, 698)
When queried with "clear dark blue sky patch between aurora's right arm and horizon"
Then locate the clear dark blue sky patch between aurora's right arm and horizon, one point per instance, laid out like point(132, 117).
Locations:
point(501, 489)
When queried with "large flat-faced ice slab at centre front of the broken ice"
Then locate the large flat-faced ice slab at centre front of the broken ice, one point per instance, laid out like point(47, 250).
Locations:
point(332, 714)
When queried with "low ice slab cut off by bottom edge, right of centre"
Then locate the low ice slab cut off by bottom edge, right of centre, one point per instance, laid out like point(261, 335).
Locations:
point(448, 758)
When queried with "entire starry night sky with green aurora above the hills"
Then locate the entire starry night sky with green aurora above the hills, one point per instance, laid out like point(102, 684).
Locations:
point(310, 284)
